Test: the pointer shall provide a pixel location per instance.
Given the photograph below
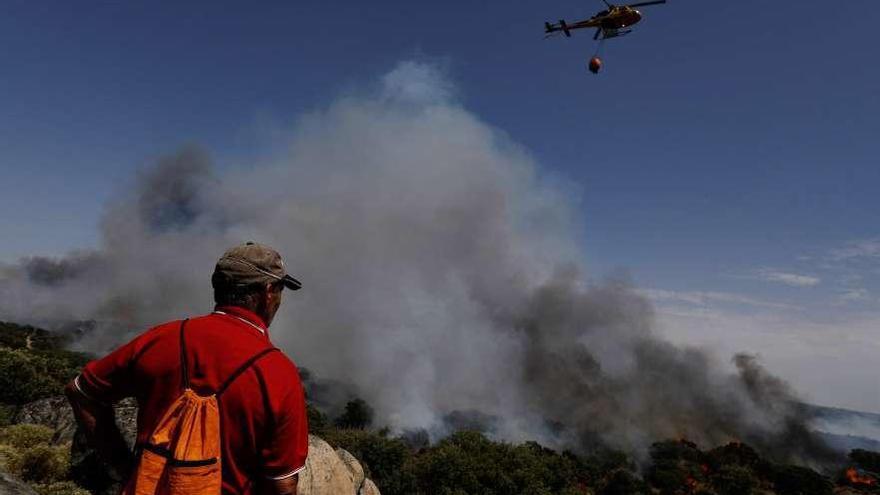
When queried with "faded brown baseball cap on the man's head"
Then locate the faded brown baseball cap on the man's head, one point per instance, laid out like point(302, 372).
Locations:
point(251, 263)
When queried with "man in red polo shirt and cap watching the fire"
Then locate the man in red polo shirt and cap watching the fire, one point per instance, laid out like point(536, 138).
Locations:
point(263, 429)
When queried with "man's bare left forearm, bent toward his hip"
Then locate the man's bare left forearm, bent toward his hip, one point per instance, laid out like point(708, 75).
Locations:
point(98, 421)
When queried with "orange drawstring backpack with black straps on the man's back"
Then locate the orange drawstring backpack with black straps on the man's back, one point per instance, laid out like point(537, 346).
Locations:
point(182, 455)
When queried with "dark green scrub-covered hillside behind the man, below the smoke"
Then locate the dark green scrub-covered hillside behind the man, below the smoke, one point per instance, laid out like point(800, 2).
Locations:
point(35, 365)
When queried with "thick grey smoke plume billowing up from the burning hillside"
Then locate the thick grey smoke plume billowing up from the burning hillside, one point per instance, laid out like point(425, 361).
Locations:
point(441, 274)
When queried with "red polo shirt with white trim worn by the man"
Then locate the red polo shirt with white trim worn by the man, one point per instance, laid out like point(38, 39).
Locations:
point(263, 415)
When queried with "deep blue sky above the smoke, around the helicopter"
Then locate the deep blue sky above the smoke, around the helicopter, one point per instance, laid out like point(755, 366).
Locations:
point(726, 157)
